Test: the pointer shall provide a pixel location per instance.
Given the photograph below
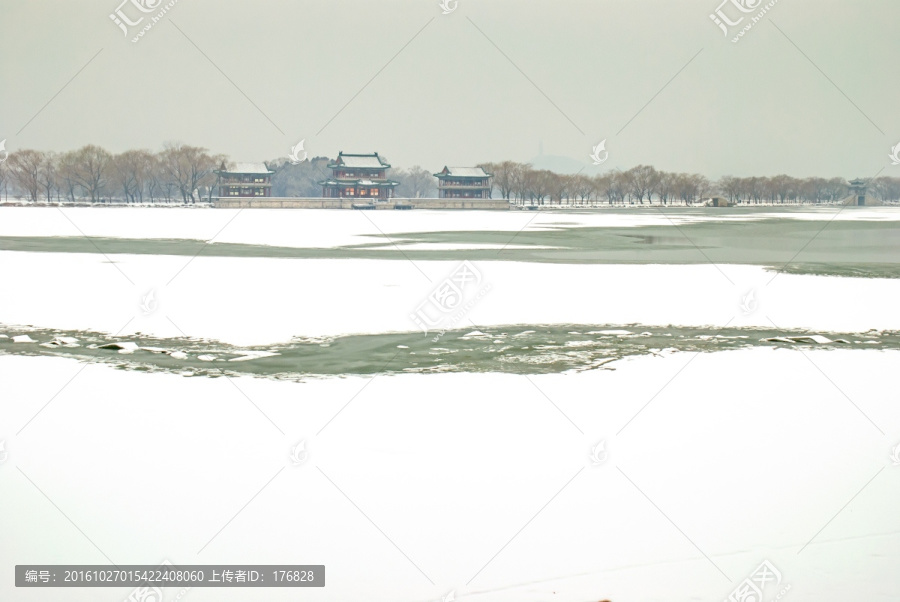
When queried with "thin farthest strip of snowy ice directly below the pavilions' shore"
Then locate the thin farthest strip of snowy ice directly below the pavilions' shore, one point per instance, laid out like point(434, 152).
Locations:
point(328, 228)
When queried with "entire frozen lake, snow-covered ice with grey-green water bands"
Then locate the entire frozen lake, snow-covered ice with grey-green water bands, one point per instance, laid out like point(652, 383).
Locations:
point(485, 482)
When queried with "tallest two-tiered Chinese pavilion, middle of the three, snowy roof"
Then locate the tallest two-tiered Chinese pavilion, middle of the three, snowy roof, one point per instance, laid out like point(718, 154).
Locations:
point(359, 176)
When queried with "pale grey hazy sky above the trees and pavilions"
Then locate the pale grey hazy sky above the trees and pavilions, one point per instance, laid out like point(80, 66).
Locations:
point(811, 89)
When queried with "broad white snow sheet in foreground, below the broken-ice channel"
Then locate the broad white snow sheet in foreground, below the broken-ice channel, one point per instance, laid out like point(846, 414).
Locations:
point(413, 487)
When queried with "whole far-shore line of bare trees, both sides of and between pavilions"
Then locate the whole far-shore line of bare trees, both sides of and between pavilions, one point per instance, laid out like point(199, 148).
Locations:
point(182, 173)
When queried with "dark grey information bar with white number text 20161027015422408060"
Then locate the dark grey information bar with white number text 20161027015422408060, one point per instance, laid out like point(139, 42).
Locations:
point(170, 575)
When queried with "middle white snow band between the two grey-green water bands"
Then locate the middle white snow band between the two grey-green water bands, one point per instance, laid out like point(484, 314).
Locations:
point(254, 301)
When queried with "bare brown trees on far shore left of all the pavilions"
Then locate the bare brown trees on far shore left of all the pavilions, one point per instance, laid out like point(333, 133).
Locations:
point(93, 174)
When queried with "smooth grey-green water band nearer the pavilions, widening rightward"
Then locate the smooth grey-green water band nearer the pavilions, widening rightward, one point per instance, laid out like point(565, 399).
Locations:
point(839, 248)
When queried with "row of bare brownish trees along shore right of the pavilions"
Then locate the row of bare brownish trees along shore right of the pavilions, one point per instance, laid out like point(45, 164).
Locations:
point(521, 183)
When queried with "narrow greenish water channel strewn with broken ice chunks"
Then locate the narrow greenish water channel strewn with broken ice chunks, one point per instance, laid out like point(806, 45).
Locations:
point(538, 349)
